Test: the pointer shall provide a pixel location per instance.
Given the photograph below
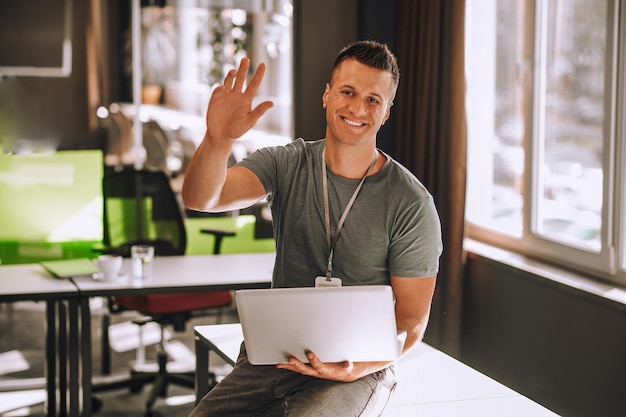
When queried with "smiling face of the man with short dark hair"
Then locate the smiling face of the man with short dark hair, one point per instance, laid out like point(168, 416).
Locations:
point(357, 102)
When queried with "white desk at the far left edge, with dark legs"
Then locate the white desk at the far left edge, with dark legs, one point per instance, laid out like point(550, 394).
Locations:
point(30, 282)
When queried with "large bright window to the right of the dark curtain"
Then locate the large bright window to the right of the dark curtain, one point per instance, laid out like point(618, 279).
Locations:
point(545, 106)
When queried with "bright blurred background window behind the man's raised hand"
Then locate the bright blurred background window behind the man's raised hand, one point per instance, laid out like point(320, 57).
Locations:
point(189, 46)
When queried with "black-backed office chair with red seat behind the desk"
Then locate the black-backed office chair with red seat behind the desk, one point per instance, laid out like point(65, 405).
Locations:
point(141, 208)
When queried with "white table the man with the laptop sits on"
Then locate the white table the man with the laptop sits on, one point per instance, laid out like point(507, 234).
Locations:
point(430, 383)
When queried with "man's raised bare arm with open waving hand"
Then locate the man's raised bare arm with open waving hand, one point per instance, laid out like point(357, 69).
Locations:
point(209, 185)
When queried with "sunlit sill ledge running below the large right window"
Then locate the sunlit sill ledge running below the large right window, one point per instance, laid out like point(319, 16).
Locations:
point(577, 284)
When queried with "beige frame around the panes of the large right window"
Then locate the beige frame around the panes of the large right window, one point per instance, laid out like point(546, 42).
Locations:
point(607, 264)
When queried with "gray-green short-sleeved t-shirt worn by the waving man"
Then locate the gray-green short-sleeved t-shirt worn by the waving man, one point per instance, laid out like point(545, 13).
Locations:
point(392, 229)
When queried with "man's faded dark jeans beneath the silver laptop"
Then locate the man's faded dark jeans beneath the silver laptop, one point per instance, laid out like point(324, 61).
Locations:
point(264, 390)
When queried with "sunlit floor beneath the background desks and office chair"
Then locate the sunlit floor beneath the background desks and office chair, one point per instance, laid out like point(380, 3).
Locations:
point(22, 350)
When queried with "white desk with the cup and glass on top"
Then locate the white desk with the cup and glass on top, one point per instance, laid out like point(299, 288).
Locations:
point(170, 274)
